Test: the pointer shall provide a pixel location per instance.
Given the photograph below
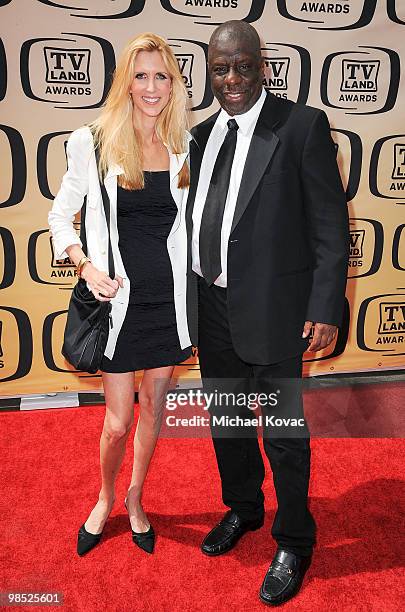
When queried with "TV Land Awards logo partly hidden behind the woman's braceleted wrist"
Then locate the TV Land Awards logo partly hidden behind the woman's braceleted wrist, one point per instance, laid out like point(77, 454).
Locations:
point(44, 267)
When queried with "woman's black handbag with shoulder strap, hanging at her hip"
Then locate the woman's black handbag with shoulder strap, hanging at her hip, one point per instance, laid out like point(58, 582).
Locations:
point(88, 320)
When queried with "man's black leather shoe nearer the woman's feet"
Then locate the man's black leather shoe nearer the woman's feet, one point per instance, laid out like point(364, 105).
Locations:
point(227, 533)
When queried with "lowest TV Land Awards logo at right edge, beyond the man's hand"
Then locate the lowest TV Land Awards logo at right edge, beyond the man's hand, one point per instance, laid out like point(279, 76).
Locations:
point(381, 324)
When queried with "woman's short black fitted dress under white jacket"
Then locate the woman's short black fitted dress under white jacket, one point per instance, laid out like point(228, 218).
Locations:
point(148, 337)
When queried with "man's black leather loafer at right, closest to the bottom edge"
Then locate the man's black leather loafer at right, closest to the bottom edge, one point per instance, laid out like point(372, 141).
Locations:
point(284, 577)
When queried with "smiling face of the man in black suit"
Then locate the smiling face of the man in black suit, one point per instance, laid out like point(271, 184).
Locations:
point(236, 75)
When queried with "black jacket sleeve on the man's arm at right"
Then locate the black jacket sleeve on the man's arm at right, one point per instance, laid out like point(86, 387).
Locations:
point(328, 224)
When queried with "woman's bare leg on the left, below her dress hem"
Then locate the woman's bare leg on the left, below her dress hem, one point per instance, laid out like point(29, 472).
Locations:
point(119, 417)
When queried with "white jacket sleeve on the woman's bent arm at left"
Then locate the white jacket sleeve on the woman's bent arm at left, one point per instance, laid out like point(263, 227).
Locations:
point(70, 196)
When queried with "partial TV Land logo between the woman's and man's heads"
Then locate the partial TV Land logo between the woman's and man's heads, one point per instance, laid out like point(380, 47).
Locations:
point(192, 58)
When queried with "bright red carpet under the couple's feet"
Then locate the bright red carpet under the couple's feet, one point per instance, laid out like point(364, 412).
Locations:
point(50, 482)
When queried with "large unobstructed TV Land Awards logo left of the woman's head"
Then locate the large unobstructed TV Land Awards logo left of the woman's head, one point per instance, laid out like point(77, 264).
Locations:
point(75, 72)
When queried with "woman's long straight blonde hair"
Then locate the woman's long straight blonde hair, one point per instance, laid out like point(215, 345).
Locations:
point(113, 129)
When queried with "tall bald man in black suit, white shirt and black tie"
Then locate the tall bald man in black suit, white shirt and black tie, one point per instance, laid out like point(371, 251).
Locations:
point(269, 242)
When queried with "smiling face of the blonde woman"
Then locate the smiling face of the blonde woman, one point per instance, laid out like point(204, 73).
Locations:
point(151, 86)
